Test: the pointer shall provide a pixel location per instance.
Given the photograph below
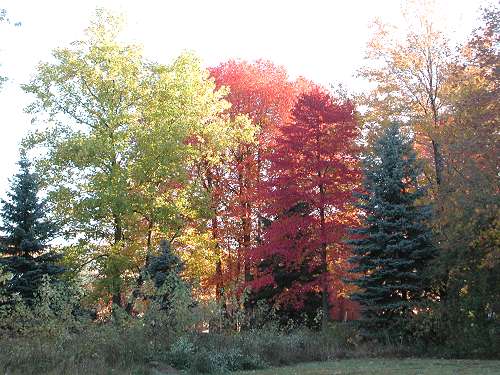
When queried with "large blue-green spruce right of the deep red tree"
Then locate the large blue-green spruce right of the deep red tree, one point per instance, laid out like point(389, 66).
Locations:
point(393, 248)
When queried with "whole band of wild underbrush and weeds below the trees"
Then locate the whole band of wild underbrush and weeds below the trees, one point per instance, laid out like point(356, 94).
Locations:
point(56, 336)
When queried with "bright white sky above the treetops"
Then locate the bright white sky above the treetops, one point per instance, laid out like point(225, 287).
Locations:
point(323, 40)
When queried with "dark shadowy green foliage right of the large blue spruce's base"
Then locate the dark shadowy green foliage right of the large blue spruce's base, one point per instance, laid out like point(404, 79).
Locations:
point(468, 308)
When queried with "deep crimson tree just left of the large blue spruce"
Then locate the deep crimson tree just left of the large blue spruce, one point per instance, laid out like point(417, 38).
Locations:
point(308, 196)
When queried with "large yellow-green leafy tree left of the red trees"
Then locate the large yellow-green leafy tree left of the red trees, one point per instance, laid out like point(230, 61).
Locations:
point(120, 148)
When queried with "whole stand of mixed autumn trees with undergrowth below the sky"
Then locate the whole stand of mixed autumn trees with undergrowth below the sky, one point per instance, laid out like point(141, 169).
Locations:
point(235, 201)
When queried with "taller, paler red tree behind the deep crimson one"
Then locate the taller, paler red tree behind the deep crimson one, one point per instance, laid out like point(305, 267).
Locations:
point(264, 93)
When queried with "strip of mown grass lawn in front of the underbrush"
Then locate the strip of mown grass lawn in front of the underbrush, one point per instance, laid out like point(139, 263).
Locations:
point(386, 367)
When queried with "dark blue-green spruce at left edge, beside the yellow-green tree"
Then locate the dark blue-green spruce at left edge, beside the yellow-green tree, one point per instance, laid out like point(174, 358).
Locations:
point(24, 251)
